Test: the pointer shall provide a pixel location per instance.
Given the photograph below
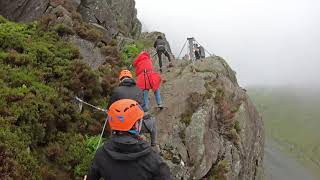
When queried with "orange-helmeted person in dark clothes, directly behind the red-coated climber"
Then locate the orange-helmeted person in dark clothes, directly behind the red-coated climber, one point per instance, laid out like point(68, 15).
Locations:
point(128, 90)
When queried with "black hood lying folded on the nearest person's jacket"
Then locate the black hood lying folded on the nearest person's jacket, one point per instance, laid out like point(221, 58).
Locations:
point(126, 147)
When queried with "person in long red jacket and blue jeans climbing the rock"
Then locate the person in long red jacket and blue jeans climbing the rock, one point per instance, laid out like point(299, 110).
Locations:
point(147, 79)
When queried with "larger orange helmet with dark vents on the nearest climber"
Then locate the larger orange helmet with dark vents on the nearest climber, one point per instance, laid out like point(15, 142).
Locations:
point(123, 114)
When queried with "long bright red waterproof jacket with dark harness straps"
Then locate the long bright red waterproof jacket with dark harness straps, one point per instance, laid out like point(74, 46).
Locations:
point(146, 77)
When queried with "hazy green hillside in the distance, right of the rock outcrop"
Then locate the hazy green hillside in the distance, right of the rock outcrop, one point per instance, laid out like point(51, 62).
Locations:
point(291, 117)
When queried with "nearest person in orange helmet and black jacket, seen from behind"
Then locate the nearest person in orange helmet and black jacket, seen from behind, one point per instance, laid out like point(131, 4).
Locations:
point(126, 155)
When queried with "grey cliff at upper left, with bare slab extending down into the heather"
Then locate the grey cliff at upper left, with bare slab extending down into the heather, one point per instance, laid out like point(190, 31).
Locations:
point(95, 22)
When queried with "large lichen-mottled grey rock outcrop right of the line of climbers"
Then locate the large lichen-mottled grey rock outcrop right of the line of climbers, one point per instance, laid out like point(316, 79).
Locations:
point(211, 130)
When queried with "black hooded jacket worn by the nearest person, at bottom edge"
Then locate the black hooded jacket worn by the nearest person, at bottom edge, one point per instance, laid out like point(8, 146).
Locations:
point(126, 157)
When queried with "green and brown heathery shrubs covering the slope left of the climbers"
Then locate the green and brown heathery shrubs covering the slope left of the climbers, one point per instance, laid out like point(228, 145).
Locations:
point(42, 135)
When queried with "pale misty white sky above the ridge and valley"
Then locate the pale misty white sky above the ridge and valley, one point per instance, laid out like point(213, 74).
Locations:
point(267, 42)
